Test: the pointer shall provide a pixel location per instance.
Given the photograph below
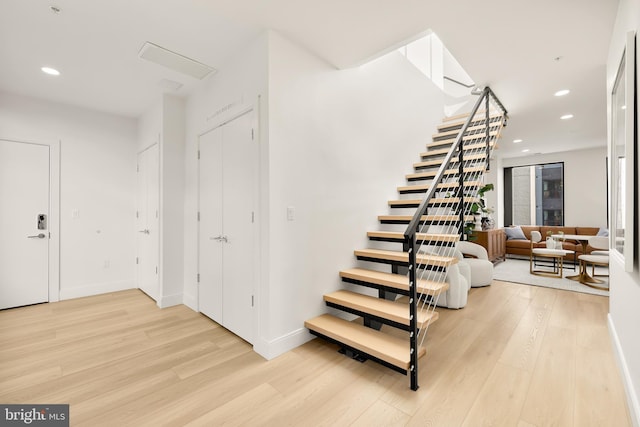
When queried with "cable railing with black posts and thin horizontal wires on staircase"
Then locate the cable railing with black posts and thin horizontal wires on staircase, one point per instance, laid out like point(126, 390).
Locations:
point(444, 213)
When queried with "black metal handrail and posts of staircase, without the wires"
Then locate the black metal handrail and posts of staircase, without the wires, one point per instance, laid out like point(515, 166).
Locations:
point(412, 228)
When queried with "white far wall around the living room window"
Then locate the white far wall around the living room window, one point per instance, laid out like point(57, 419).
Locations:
point(585, 185)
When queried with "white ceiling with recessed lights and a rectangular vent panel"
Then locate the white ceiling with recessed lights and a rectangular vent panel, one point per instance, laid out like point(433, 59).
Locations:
point(507, 44)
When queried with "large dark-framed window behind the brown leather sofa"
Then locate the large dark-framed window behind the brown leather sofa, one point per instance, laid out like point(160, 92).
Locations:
point(534, 195)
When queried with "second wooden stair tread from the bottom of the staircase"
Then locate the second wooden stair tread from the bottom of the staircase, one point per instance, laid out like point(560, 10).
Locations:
point(394, 311)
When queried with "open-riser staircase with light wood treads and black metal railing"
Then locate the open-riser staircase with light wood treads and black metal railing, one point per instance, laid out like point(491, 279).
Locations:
point(427, 220)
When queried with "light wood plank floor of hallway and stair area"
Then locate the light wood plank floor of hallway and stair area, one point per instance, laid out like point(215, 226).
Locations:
point(515, 356)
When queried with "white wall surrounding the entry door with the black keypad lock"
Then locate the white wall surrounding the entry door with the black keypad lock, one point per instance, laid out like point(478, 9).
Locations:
point(97, 180)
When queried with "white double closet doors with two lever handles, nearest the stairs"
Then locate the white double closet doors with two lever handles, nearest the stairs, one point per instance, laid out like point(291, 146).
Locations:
point(226, 256)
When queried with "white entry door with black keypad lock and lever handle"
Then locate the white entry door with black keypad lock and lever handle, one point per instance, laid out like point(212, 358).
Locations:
point(24, 224)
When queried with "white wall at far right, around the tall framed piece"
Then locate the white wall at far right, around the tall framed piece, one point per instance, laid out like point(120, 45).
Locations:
point(624, 315)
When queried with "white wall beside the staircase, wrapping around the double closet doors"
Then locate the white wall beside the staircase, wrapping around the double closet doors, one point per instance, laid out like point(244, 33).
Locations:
point(334, 145)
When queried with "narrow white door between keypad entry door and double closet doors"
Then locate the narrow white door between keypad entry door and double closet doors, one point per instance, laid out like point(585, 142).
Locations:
point(147, 221)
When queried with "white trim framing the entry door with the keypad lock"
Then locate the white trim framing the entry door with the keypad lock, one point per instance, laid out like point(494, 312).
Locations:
point(54, 212)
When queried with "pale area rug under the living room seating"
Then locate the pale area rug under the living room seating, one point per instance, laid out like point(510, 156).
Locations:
point(517, 271)
